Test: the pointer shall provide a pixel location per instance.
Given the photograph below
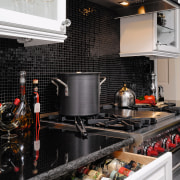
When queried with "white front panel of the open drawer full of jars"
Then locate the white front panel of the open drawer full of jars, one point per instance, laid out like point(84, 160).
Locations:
point(159, 169)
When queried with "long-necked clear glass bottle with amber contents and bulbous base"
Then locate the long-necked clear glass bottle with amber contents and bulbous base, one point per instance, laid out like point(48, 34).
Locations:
point(23, 113)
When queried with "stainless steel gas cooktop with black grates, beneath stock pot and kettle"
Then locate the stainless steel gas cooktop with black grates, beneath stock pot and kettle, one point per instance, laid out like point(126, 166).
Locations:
point(136, 119)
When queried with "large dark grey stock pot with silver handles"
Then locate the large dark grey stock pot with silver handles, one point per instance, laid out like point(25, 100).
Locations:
point(78, 93)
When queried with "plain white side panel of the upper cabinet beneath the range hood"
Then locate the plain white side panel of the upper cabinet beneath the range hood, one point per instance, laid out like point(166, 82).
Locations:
point(136, 34)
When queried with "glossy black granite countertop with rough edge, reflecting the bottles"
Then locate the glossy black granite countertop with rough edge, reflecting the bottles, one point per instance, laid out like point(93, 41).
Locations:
point(61, 150)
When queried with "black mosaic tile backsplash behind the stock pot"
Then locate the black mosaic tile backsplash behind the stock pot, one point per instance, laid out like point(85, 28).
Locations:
point(92, 46)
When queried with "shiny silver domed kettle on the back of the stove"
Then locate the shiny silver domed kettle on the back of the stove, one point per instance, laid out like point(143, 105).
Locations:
point(125, 97)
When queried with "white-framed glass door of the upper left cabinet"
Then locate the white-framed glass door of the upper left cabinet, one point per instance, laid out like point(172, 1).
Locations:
point(34, 14)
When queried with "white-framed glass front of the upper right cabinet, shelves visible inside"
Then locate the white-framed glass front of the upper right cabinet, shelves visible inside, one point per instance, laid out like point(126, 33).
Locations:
point(167, 31)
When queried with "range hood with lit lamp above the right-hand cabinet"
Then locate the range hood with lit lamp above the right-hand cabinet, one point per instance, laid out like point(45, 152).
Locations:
point(136, 7)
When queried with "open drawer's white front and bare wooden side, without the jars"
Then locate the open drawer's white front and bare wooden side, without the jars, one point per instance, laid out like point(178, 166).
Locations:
point(155, 168)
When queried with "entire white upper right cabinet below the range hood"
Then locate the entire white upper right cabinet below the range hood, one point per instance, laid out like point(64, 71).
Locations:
point(153, 34)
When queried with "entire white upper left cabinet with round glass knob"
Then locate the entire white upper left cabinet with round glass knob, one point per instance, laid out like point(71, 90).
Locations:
point(34, 22)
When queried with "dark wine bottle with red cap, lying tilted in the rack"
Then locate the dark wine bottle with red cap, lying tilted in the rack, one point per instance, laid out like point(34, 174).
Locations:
point(9, 113)
